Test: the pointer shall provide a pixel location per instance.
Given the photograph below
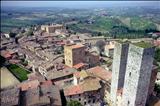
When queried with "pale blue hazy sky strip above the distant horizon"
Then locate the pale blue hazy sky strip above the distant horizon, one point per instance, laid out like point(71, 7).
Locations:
point(78, 4)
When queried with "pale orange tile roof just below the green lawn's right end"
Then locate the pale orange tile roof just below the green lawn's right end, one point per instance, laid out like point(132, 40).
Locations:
point(29, 85)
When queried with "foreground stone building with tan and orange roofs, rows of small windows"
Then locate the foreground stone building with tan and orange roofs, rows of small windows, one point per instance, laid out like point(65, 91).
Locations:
point(87, 89)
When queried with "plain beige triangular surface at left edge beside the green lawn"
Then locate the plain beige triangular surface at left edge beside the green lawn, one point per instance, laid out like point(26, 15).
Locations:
point(7, 78)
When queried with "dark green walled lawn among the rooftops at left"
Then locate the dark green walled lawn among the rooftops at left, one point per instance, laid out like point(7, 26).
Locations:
point(18, 72)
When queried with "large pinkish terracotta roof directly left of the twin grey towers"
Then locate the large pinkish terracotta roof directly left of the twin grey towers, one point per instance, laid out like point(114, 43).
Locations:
point(101, 73)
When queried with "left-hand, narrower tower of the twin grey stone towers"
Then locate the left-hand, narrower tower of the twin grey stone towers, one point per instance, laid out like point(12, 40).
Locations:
point(118, 68)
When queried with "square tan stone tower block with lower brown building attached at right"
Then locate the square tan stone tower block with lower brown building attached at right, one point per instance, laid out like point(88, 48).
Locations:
point(77, 53)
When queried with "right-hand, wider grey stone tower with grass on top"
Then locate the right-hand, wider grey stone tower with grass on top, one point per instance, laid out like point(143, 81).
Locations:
point(138, 74)
